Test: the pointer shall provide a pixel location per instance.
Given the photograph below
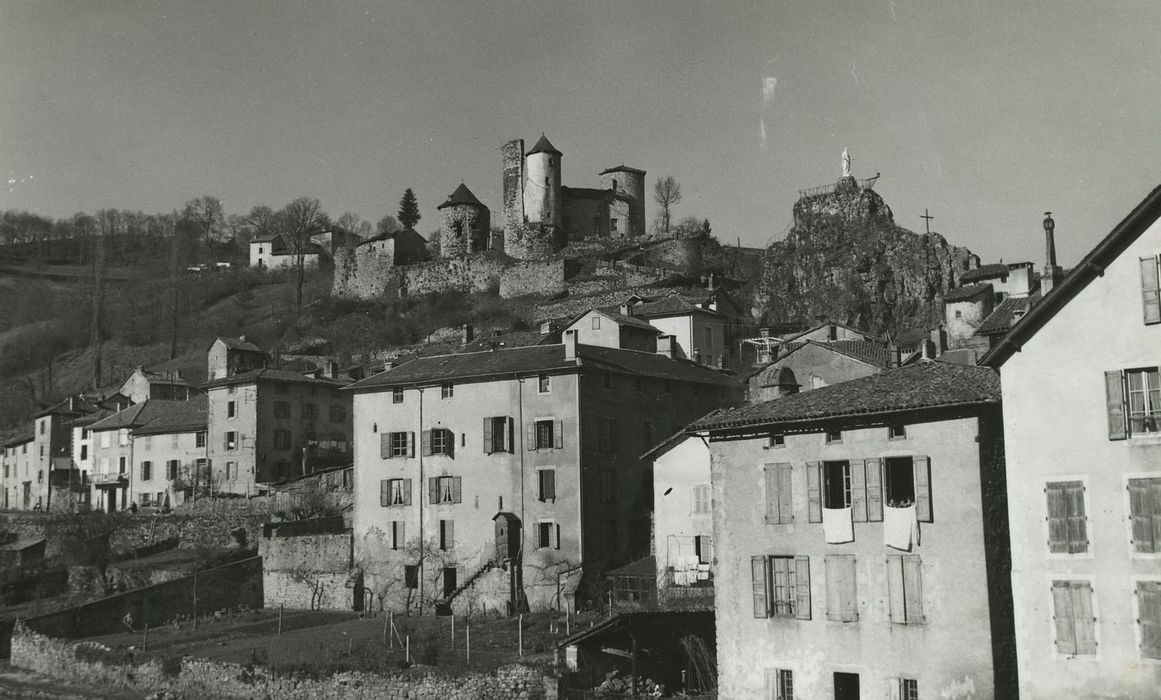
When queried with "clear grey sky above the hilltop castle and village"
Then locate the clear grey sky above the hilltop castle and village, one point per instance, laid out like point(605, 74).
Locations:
point(985, 113)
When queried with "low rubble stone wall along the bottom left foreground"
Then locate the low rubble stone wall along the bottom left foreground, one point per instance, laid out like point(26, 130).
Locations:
point(203, 679)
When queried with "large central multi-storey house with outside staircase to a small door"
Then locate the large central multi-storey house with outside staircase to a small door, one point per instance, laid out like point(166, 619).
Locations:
point(510, 478)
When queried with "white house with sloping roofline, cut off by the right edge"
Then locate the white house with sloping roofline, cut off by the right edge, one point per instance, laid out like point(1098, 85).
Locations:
point(1083, 414)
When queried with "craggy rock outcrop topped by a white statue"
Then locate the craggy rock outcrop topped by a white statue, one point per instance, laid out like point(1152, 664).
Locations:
point(846, 259)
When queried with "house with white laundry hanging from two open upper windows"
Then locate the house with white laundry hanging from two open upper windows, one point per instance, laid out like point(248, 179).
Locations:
point(861, 540)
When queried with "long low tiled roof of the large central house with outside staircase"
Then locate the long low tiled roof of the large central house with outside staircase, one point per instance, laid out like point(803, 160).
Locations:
point(539, 359)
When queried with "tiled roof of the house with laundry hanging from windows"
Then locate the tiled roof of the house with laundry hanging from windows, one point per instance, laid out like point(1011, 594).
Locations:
point(926, 385)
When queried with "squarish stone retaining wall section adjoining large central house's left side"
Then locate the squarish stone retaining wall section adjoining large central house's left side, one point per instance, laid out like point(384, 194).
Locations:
point(308, 572)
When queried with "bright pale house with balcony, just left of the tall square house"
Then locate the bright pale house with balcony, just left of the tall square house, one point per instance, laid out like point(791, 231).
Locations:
point(152, 454)
